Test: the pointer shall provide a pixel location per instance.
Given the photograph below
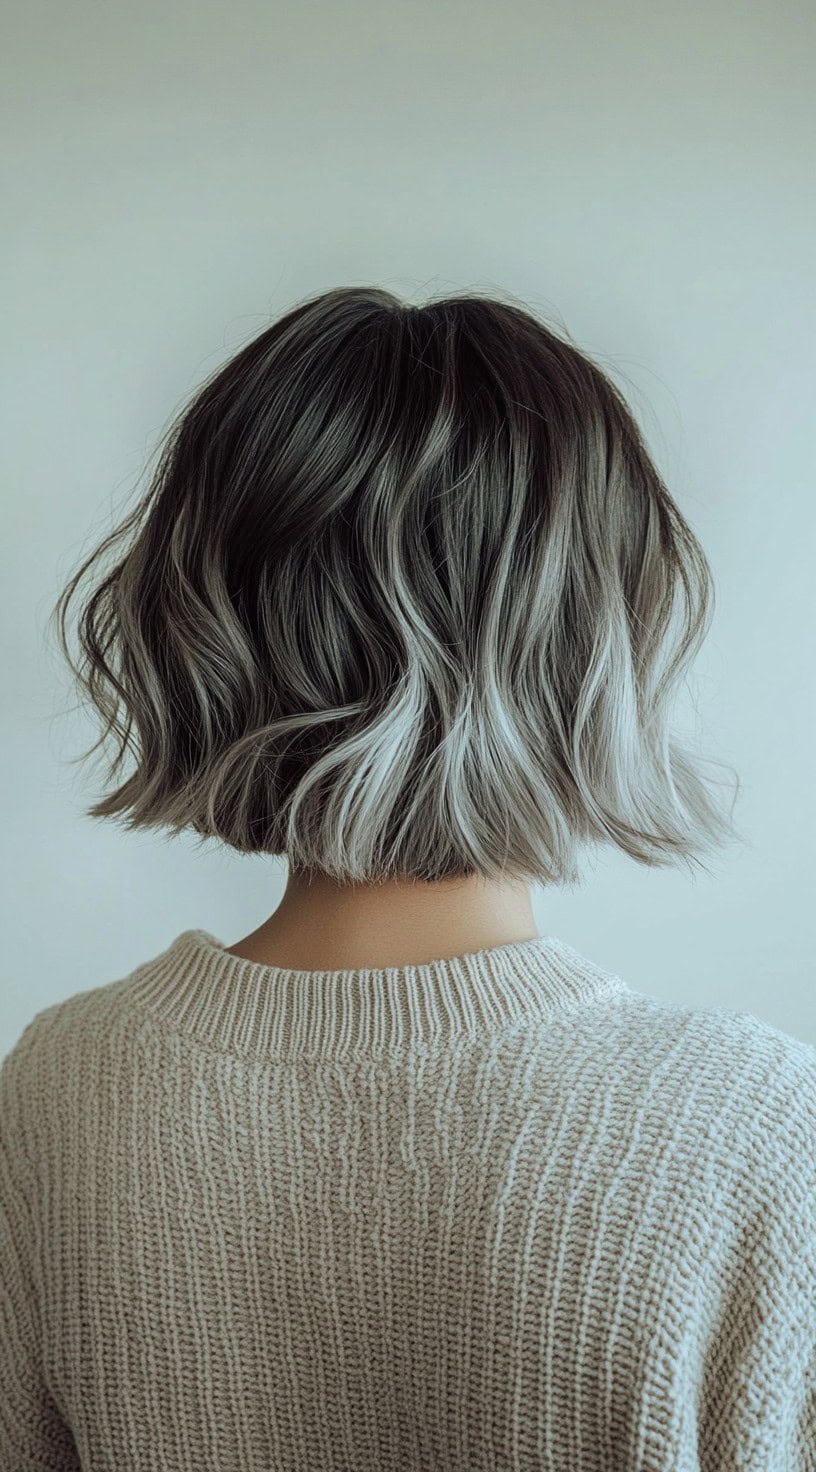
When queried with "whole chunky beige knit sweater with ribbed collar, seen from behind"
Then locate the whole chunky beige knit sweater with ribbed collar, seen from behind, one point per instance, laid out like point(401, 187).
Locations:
point(499, 1212)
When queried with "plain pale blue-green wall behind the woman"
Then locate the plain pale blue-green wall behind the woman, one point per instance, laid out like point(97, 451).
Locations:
point(179, 174)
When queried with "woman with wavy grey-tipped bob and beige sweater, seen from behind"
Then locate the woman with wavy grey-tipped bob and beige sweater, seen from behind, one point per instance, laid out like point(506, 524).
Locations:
point(395, 1181)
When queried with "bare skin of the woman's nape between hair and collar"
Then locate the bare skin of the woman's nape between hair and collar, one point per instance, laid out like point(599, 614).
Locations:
point(322, 925)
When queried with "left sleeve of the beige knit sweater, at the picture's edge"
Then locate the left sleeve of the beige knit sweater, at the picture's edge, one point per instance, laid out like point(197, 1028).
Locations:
point(33, 1433)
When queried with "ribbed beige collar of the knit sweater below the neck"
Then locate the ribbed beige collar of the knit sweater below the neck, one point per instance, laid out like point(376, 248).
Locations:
point(198, 988)
